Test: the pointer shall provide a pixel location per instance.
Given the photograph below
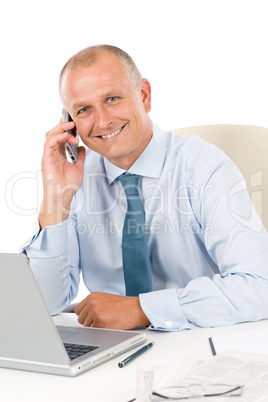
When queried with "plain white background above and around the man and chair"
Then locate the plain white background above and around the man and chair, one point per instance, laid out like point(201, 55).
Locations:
point(207, 61)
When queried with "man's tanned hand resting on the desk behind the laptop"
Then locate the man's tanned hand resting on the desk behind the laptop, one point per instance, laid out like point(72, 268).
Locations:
point(104, 310)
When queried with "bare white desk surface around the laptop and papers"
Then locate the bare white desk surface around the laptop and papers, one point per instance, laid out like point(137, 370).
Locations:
point(107, 382)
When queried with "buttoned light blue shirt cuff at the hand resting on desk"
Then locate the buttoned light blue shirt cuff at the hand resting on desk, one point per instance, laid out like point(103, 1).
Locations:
point(163, 310)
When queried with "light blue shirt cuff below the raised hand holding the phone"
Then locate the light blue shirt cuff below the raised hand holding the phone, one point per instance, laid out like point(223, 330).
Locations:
point(48, 243)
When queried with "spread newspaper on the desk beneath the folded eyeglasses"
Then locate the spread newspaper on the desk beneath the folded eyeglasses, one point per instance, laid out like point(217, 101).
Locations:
point(234, 368)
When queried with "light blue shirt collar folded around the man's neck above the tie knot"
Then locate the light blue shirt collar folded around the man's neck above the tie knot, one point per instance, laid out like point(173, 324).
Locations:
point(149, 163)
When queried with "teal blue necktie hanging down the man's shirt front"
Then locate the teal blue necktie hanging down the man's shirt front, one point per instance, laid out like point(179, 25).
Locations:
point(136, 262)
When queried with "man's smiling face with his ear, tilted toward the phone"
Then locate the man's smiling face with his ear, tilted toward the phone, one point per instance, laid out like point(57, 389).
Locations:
point(110, 113)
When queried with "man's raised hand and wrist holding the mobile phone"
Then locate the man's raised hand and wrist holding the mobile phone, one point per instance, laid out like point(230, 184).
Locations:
point(61, 179)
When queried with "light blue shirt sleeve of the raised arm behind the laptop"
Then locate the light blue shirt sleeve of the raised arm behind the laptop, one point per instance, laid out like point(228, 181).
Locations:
point(54, 260)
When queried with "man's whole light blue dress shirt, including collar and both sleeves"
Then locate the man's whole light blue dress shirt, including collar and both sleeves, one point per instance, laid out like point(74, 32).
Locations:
point(208, 249)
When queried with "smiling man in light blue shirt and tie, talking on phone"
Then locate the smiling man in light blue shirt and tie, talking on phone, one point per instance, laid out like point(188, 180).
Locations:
point(203, 266)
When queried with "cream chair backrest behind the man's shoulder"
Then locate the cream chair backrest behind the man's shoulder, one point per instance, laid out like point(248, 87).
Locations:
point(247, 146)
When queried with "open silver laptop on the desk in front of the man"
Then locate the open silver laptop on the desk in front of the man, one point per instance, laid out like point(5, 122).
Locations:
point(29, 340)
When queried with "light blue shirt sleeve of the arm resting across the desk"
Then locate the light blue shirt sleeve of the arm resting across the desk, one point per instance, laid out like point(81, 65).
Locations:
point(238, 245)
